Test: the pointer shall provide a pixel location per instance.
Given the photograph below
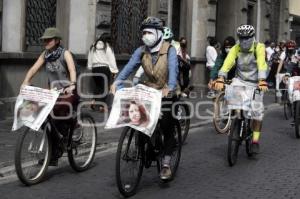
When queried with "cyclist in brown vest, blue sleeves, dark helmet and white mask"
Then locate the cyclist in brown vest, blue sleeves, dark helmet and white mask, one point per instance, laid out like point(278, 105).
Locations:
point(159, 61)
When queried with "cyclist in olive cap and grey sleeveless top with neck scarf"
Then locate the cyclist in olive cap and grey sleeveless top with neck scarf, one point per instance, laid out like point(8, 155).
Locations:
point(61, 73)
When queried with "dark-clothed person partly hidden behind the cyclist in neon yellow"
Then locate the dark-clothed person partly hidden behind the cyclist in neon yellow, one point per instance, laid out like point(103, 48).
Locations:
point(227, 45)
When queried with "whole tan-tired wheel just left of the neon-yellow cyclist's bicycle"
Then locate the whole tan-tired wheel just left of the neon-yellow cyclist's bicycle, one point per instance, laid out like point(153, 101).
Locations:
point(221, 119)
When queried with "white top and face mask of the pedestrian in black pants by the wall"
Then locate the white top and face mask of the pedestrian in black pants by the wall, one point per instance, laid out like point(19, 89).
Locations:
point(100, 57)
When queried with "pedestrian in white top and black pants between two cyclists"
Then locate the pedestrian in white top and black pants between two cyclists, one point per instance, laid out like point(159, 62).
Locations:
point(102, 63)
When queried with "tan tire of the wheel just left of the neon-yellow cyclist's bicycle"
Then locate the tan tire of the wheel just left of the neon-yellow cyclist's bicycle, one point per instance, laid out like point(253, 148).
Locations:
point(217, 119)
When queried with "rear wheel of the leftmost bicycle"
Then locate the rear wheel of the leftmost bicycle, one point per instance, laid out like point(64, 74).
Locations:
point(82, 150)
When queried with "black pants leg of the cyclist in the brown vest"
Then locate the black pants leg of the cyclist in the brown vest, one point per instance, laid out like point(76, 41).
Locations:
point(168, 124)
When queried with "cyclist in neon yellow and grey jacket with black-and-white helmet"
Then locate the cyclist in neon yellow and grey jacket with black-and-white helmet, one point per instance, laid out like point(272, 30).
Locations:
point(251, 69)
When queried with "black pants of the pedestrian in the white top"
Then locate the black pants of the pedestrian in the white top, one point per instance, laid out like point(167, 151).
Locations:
point(103, 80)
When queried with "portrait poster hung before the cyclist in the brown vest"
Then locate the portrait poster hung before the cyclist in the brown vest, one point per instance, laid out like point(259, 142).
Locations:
point(137, 107)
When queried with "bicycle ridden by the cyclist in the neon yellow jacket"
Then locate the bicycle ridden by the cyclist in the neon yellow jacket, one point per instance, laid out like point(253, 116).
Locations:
point(239, 131)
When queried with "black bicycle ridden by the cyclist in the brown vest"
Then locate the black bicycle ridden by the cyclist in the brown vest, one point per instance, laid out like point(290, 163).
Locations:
point(137, 151)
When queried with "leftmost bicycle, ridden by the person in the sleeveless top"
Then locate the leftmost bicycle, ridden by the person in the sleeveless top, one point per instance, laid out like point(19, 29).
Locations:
point(34, 148)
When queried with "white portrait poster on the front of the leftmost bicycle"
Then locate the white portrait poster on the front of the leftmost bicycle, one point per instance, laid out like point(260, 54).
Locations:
point(32, 107)
